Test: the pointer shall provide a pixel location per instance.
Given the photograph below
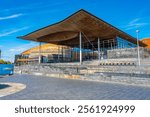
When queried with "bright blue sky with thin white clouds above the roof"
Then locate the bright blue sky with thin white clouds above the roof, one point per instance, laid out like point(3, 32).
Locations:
point(19, 17)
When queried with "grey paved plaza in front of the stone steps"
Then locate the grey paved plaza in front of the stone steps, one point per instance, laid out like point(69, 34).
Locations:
point(41, 87)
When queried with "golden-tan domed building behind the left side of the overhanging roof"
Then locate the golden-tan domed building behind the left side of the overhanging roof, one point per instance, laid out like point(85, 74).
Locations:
point(48, 53)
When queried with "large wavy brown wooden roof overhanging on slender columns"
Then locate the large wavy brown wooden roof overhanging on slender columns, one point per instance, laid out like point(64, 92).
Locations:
point(66, 32)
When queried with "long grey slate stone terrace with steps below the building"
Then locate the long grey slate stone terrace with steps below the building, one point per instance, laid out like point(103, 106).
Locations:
point(110, 70)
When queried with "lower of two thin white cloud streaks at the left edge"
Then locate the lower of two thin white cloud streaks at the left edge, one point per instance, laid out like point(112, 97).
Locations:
point(6, 33)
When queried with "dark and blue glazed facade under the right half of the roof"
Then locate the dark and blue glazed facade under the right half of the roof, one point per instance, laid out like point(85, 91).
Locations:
point(105, 45)
